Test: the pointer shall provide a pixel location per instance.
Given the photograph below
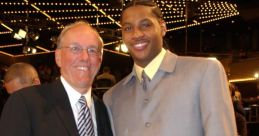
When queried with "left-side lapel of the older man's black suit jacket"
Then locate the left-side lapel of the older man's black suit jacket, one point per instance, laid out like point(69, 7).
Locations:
point(62, 105)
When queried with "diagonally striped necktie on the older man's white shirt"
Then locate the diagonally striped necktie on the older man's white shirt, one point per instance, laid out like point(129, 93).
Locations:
point(85, 124)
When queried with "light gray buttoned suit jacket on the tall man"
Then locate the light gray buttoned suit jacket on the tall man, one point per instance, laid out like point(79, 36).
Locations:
point(188, 96)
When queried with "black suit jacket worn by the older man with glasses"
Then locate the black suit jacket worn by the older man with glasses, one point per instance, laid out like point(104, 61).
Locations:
point(45, 111)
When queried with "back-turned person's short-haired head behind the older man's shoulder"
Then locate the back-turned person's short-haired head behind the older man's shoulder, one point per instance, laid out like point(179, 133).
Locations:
point(20, 75)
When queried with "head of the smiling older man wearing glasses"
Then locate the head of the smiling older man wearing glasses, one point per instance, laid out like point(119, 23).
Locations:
point(78, 66)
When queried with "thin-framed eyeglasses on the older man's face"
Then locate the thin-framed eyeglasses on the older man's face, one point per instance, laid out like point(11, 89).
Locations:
point(78, 50)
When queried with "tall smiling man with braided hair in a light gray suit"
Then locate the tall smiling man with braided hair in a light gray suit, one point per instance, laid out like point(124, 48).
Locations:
point(166, 94)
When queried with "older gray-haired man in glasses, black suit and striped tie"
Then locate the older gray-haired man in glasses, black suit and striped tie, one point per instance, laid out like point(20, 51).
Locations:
point(64, 107)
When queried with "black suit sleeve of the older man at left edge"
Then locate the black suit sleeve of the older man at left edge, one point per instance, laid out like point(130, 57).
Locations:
point(15, 118)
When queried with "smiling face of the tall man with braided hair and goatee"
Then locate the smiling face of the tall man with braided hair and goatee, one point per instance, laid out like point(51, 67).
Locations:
point(143, 33)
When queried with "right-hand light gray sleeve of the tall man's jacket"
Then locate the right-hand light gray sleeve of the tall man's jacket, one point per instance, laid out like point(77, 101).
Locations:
point(215, 102)
